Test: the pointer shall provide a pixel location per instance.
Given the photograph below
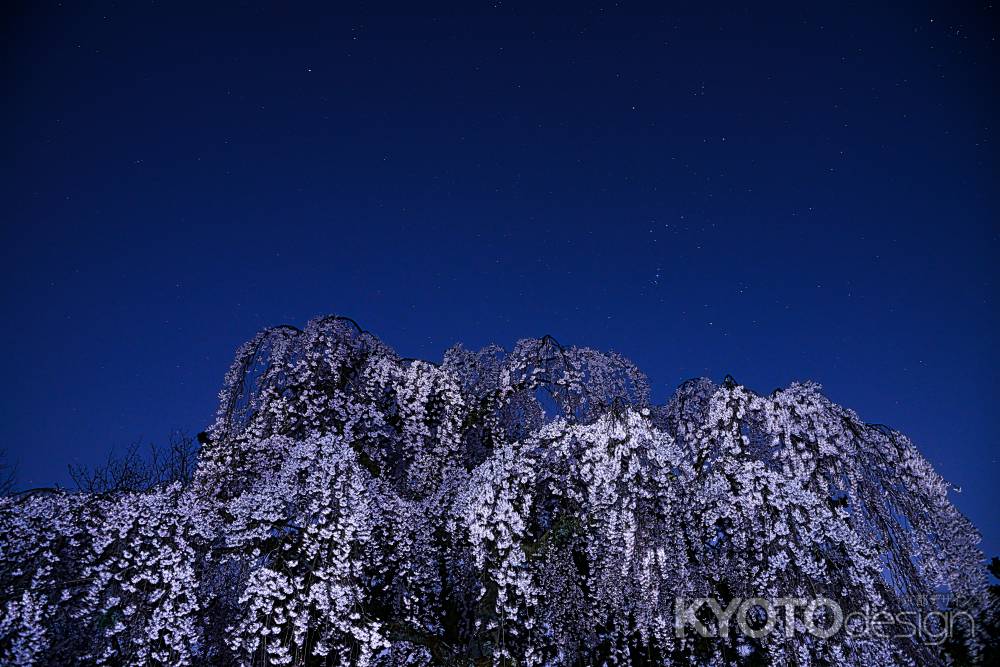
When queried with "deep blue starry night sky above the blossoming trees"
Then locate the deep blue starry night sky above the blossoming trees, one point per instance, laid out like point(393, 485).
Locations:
point(795, 191)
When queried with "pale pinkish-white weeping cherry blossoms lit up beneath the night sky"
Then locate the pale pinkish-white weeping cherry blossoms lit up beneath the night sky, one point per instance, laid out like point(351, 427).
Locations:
point(530, 507)
